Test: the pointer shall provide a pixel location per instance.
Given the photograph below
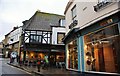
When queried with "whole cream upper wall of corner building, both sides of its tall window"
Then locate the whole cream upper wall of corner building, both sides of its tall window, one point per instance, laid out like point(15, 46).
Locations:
point(86, 14)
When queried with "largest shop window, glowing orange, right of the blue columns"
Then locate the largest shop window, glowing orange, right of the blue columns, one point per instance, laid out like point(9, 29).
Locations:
point(101, 48)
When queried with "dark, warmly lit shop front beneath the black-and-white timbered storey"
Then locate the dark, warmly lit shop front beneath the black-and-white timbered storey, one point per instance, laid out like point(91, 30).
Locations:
point(33, 52)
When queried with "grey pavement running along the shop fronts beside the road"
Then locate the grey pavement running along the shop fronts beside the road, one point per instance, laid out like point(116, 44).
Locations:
point(52, 71)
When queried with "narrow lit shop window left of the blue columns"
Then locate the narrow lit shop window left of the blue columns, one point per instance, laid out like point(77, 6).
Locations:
point(72, 55)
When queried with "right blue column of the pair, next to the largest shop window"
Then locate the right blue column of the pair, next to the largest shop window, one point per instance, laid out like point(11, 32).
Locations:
point(81, 44)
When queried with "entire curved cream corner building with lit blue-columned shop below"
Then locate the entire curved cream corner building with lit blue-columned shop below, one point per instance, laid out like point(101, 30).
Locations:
point(93, 36)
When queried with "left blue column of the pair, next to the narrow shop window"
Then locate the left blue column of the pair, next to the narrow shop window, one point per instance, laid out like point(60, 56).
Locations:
point(79, 54)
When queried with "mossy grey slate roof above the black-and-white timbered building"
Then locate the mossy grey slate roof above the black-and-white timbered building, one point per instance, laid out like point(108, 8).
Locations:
point(42, 21)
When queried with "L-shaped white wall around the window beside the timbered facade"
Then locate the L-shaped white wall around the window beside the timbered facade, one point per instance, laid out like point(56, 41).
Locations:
point(55, 30)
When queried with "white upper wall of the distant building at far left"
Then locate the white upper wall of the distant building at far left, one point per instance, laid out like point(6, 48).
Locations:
point(15, 35)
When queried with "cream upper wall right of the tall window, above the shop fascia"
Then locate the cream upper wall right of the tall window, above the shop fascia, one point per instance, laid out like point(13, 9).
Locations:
point(89, 16)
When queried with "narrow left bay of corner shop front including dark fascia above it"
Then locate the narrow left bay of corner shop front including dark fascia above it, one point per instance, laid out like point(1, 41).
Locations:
point(72, 50)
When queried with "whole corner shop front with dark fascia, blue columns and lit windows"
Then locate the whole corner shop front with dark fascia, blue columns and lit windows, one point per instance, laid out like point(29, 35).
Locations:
point(95, 49)
